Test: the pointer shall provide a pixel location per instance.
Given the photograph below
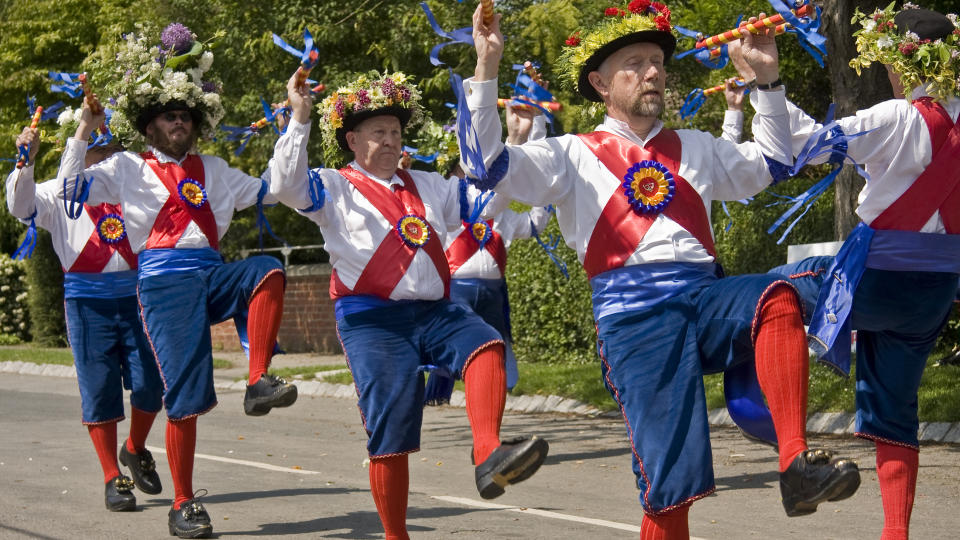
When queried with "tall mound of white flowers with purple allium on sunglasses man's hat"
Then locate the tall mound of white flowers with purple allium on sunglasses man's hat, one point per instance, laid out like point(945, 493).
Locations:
point(149, 74)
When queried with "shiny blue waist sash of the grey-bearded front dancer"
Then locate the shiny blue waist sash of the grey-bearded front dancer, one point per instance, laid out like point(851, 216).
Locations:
point(642, 286)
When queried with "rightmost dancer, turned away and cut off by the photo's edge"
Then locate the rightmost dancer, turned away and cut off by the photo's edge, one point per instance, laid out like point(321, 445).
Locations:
point(896, 274)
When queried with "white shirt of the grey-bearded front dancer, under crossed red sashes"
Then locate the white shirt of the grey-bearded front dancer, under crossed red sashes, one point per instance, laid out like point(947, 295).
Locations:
point(562, 171)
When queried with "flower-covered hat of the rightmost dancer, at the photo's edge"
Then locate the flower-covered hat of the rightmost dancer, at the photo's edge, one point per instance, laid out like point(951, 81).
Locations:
point(921, 46)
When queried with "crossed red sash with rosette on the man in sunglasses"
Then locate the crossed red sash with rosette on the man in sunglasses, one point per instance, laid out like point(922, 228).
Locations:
point(176, 214)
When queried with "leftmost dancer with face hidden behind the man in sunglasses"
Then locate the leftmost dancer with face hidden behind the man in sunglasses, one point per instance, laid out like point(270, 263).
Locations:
point(110, 351)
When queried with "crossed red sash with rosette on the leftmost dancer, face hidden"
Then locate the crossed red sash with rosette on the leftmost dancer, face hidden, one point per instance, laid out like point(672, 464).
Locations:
point(100, 247)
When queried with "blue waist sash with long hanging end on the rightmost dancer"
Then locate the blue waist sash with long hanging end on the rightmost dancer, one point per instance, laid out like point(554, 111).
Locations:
point(899, 251)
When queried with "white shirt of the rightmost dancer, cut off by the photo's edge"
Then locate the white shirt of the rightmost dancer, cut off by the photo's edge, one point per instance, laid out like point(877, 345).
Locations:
point(894, 154)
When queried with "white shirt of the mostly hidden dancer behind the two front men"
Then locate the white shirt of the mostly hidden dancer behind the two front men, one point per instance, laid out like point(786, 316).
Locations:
point(510, 226)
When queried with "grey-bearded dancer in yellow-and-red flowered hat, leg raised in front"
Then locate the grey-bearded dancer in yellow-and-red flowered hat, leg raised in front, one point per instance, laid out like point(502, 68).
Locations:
point(633, 199)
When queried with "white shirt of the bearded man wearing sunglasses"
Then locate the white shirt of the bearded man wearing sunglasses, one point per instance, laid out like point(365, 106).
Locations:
point(126, 178)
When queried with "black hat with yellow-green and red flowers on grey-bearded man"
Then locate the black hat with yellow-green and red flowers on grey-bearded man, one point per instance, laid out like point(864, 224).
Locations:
point(585, 50)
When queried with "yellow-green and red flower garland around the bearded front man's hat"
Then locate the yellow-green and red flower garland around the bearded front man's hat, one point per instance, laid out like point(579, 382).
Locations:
point(637, 16)
